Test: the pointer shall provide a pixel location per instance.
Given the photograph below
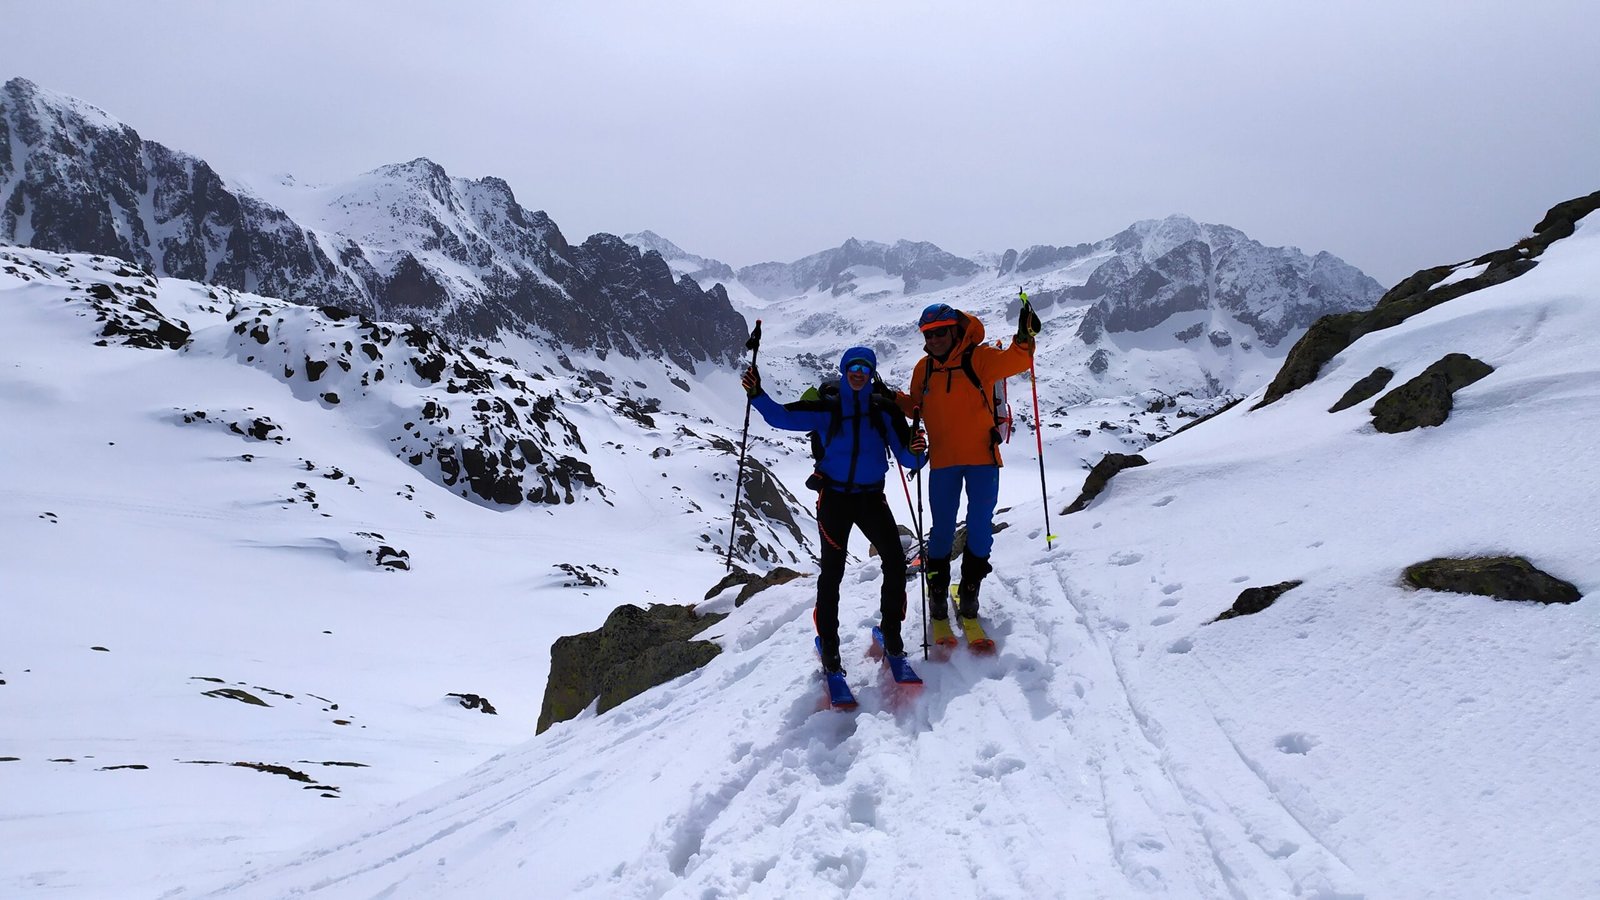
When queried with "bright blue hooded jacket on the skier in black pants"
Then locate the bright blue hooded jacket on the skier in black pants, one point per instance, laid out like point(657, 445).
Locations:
point(855, 459)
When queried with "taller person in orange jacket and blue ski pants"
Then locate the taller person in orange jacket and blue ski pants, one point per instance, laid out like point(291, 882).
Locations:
point(954, 388)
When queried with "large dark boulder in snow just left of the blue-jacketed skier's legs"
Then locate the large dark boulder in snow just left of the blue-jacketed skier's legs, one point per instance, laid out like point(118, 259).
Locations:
point(634, 651)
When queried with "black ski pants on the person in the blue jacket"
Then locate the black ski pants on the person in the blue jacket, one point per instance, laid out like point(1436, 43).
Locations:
point(870, 512)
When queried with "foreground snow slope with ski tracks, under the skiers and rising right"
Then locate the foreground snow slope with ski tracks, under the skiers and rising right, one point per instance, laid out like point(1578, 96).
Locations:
point(1358, 739)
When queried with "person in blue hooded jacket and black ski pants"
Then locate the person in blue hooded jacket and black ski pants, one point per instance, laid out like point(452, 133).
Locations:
point(857, 428)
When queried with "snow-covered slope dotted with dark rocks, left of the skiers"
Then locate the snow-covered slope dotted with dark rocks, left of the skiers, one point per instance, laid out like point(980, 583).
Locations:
point(246, 565)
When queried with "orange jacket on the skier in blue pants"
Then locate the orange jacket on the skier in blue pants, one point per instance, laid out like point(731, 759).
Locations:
point(958, 414)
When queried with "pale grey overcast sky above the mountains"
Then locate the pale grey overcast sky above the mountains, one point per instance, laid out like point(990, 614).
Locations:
point(1393, 134)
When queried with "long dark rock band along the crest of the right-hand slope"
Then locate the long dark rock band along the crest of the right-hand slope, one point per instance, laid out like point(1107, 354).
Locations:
point(1422, 292)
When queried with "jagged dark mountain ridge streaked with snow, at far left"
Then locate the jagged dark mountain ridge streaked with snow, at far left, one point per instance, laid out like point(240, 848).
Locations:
point(404, 243)
